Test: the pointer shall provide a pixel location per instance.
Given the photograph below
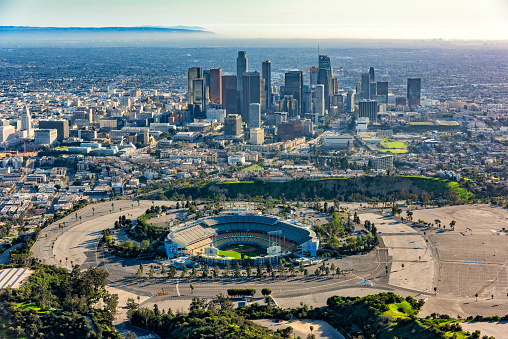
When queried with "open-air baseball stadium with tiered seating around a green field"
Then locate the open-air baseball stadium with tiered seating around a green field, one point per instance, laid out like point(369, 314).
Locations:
point(241, 234)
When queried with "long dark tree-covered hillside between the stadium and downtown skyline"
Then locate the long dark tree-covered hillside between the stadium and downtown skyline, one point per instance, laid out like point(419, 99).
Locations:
point(350, 189)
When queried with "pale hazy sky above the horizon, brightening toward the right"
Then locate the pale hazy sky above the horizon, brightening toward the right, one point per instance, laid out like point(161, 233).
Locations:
point(399, 19)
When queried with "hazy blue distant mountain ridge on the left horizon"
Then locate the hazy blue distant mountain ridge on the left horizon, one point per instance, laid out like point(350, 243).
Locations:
point(136, 29)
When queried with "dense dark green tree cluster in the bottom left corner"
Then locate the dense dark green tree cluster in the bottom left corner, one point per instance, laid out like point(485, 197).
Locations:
point(60, 300)
